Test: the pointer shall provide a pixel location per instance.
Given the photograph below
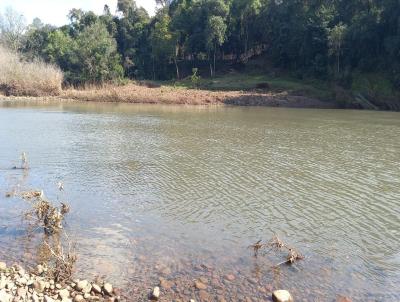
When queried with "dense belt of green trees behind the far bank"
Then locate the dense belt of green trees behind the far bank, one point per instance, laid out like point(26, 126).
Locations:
point(332, 40)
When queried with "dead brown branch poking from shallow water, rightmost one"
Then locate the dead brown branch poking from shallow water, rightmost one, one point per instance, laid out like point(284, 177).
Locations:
point(275, 243)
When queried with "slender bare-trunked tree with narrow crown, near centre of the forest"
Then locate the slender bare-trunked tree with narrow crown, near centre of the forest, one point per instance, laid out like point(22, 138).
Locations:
point(216, 29)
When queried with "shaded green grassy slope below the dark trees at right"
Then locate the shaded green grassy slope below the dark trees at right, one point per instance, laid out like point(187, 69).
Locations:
point(368, 91)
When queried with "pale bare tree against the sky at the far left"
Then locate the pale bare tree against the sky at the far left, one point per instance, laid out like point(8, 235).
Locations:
point(12, 29)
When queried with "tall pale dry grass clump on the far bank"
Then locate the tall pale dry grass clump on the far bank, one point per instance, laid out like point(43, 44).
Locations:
point(21, 78)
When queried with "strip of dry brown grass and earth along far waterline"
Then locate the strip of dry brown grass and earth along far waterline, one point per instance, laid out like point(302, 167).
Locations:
point(157, 94)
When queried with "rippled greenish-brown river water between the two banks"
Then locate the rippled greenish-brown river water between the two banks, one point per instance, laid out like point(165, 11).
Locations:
point(181, 192)
